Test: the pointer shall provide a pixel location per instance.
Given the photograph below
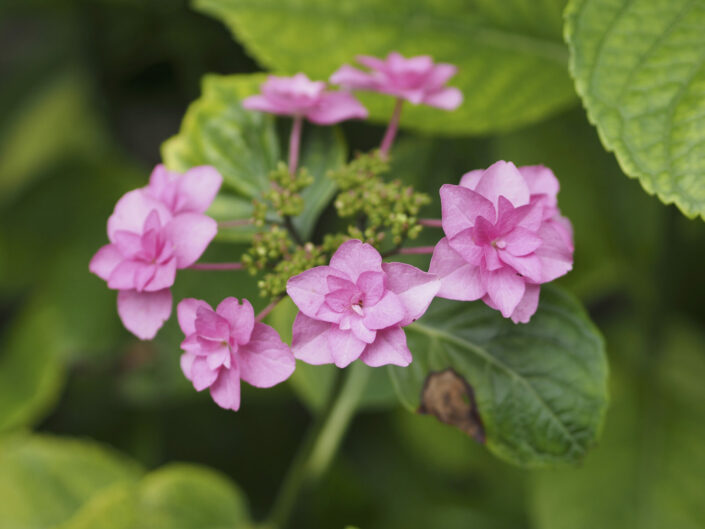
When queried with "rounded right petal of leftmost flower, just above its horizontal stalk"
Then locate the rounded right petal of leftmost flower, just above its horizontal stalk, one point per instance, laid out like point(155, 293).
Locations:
point(190, 233)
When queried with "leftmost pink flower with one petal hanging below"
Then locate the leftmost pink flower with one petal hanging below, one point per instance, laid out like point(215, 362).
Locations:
point(150, 240)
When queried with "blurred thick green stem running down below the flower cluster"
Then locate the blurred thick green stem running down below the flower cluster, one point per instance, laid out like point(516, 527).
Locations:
point(320, 446)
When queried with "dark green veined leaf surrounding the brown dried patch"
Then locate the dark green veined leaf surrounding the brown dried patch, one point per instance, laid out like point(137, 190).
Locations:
point(540, 387)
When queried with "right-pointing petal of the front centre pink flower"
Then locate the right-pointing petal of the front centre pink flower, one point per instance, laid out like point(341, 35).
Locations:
point(414, 288)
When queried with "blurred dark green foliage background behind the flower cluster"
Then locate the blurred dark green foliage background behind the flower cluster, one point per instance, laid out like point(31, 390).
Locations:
point(88, 92)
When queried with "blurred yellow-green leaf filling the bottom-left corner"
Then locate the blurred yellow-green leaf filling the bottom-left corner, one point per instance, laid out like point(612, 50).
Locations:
point(45, 480)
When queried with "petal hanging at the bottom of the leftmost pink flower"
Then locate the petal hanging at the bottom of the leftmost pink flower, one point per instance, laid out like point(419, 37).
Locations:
point(143, 313)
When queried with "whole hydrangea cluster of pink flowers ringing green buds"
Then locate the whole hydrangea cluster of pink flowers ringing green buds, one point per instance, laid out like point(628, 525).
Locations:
point(504, 237)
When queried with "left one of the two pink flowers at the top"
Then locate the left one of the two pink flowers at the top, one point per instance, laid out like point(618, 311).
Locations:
point(299, 96)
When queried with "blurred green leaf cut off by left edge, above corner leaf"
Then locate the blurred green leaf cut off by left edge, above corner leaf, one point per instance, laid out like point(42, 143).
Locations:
point(31, 373)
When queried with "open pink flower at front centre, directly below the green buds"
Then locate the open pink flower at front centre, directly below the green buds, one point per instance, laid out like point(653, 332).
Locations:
point(356, 308)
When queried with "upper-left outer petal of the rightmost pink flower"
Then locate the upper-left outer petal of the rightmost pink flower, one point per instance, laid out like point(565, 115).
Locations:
point(461, 206)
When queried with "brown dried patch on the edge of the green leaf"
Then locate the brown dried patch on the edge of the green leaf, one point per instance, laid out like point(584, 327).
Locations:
point(448, 397)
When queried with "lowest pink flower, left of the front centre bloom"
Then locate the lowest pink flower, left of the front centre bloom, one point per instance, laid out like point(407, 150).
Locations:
point(225, 345)
